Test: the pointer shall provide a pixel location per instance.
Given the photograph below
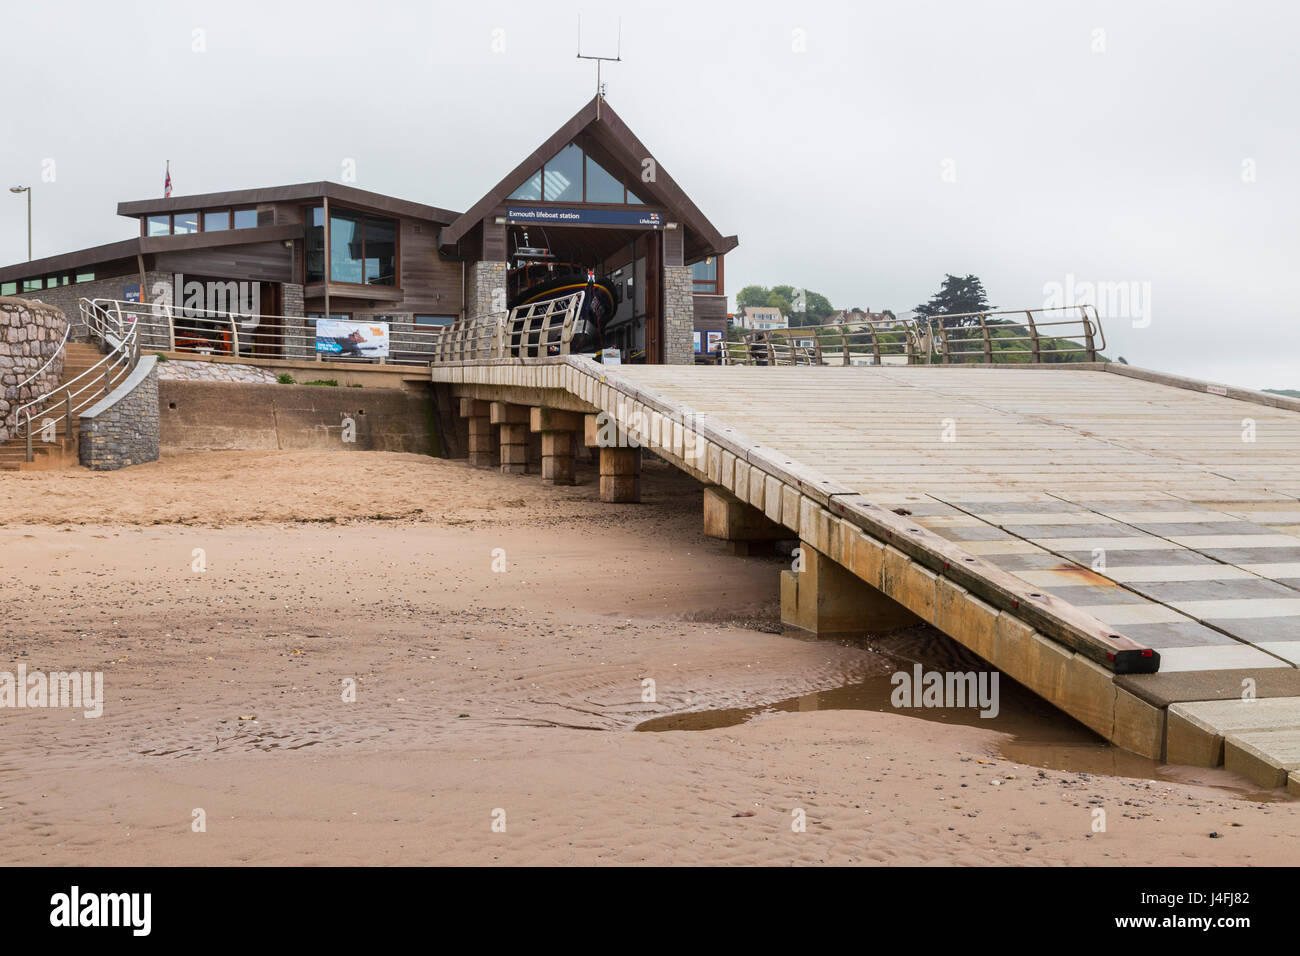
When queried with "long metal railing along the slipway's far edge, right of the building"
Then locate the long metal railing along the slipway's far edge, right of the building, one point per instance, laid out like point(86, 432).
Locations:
point(1007, 338)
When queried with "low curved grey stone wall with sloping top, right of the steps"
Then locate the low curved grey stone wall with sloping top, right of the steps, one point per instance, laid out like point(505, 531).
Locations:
point(124, 429)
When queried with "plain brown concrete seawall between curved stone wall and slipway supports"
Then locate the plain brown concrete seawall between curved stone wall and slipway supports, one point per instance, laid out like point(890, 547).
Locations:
point(210, 417)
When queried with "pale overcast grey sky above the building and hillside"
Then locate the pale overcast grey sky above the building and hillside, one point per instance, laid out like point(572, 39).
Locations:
point(1147, 150)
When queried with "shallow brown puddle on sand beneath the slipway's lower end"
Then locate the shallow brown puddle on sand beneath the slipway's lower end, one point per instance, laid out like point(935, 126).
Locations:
point(1039, 734)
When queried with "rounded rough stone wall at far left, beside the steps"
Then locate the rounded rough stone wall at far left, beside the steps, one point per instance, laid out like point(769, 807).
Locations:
point(31, 334)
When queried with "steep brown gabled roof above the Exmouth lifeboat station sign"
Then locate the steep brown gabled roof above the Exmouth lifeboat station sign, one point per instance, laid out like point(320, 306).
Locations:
point(621, 145)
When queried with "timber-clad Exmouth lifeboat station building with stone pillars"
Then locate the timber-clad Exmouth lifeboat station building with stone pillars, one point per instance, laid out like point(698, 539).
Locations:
point(592, 196)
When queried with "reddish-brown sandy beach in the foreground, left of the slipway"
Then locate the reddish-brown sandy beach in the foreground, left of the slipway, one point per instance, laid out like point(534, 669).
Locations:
point(480, 691)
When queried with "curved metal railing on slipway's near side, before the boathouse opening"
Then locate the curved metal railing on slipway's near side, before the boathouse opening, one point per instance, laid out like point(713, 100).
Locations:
point(526, 332)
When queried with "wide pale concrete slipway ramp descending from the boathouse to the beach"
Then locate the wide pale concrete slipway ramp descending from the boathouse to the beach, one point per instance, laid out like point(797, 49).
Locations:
point(1124, 543)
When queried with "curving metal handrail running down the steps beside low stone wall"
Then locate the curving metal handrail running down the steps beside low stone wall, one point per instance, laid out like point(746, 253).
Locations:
point(64, 403)
